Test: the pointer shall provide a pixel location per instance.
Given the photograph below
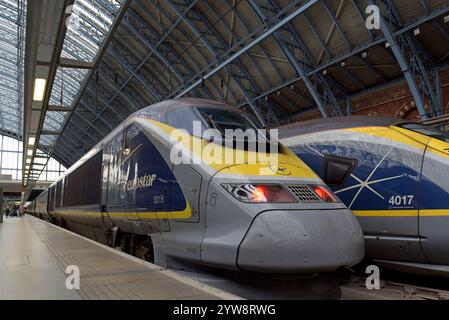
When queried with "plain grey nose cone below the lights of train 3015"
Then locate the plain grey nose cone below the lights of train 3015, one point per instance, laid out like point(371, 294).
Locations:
point(301, 241)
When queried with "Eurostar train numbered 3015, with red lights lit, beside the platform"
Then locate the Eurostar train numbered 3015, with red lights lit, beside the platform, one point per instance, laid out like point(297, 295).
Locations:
point(268, 217)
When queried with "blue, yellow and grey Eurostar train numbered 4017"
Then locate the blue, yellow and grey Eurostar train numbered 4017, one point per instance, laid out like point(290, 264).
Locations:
point(393, 175)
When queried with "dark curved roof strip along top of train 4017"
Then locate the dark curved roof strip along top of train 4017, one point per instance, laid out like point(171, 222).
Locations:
point(335, 123)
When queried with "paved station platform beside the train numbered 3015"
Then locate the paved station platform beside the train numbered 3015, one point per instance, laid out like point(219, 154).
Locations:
point(34, 256)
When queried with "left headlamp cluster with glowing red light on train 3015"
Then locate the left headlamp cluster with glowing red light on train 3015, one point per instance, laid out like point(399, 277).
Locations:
point(259, 193)
